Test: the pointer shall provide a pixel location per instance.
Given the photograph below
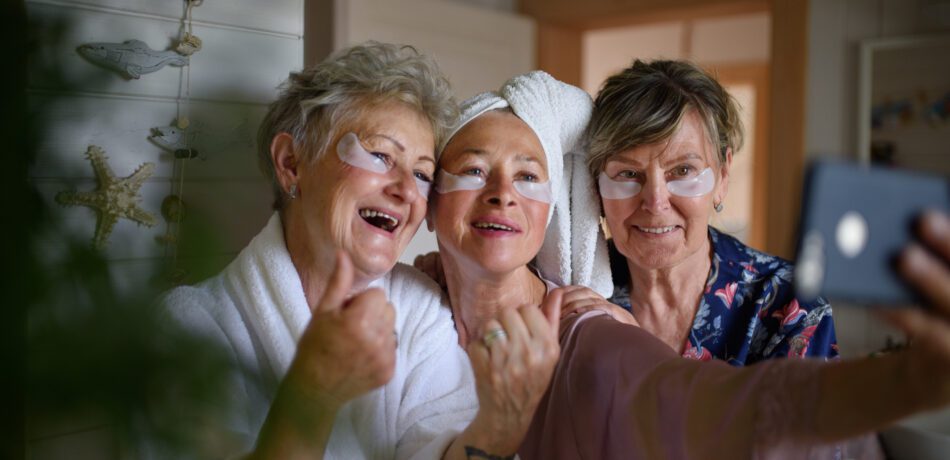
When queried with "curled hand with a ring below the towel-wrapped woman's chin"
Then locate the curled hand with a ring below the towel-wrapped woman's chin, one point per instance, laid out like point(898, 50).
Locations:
point(512, 373)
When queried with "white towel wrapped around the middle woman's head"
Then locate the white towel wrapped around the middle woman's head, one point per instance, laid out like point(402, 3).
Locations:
point(574, 249)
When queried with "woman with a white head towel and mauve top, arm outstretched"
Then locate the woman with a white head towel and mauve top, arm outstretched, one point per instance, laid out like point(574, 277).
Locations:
point(617, 391)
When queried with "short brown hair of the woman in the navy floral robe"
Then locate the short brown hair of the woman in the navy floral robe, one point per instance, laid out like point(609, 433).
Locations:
point(645, 103)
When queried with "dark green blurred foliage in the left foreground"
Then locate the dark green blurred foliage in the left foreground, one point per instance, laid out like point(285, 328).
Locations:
point(79, 352)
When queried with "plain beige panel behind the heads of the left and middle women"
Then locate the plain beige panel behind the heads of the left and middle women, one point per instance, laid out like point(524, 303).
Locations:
point(477, 48)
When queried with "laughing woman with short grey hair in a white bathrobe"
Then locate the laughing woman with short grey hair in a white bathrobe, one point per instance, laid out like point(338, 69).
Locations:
point(340, 351)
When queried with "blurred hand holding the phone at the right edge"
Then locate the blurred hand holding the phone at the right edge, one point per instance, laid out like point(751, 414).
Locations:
point(928, 329)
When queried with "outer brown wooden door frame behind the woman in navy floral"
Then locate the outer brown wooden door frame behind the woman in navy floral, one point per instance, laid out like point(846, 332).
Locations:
point(560, 33)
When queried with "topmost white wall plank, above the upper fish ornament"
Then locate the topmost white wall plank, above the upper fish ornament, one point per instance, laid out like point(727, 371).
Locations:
point(277, 16)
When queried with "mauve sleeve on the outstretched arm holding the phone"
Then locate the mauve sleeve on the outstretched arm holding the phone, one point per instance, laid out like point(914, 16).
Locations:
point(642, 401)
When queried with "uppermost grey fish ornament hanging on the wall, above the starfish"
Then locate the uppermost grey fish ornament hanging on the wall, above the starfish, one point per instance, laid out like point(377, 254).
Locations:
point(132, 58)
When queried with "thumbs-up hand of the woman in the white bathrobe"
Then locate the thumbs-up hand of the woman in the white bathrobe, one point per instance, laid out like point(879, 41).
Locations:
point(349, 347)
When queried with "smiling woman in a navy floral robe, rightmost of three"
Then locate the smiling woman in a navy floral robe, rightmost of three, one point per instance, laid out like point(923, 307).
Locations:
point(661, 140)
